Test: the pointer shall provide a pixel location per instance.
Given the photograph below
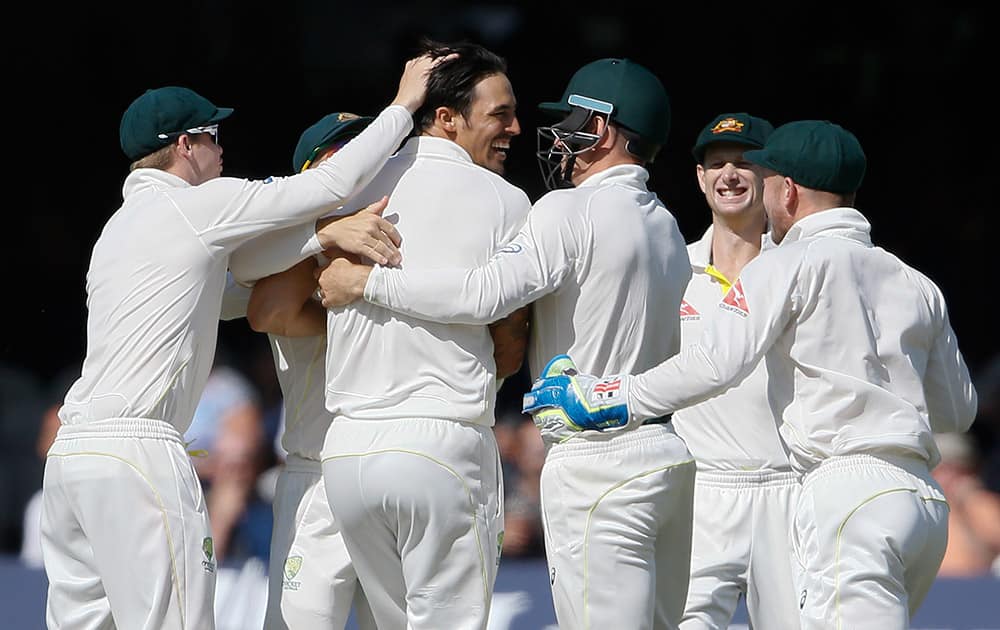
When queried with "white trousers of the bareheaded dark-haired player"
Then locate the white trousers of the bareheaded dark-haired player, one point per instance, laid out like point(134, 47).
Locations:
point(419, 501)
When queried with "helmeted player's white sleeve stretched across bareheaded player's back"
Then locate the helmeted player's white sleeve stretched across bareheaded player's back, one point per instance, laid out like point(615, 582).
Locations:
point(531, 265)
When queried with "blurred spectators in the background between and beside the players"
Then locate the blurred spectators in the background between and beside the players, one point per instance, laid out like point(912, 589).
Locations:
point(235, 443)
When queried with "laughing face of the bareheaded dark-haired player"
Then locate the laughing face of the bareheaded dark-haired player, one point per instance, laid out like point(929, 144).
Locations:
point(491, 122)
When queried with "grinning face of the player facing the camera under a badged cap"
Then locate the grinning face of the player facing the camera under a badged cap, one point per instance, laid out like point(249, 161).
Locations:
point(732, 185)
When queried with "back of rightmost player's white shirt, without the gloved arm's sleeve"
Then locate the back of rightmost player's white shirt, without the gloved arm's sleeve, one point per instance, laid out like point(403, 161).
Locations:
point(870, 351)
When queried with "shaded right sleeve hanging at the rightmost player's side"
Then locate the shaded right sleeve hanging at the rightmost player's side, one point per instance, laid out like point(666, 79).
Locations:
point(948, 389)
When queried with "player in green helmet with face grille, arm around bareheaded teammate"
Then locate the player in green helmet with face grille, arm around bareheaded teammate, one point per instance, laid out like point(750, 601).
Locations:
point(605, 266)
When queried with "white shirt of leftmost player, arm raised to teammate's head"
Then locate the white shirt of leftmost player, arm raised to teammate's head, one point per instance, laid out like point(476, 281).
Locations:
point(158, 269)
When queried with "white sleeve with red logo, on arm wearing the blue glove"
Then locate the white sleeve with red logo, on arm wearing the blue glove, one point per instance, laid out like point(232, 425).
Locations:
point(730, 346)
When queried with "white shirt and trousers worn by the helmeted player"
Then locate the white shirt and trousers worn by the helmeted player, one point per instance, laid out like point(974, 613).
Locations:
point(605, 265)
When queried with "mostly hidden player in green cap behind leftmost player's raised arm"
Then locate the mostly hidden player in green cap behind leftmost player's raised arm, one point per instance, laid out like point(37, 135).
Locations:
point(312, 582)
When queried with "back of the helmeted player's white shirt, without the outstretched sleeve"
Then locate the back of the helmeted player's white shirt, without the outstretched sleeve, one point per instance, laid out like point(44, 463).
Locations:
point(618, 310)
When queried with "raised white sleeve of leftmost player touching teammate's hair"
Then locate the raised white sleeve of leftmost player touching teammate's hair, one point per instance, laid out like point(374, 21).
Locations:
point(226, 212)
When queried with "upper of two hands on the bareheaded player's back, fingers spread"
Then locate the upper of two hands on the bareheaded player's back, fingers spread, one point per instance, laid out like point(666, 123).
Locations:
point(364, 233)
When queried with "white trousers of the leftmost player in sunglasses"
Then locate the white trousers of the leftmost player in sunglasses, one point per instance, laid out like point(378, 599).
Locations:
point(125, 534)
